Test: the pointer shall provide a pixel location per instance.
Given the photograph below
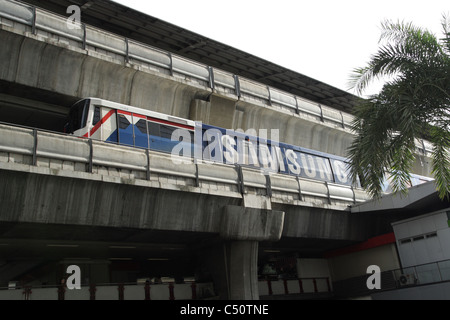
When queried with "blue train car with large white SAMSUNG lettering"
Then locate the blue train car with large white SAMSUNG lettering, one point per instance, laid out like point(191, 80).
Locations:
point(273, 156)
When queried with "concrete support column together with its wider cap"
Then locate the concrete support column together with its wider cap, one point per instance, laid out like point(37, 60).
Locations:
point(231, 261)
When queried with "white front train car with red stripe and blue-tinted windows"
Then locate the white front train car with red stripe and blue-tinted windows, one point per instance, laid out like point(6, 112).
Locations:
point(117, 123)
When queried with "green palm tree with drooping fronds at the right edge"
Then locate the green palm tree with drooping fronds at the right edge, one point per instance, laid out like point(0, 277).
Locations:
point(413, 104)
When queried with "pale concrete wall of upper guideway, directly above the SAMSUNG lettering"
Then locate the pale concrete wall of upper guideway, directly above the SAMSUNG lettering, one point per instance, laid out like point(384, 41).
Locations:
point(306, 131)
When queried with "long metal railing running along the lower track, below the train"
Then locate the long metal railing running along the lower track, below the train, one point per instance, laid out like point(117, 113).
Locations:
point(90, 154)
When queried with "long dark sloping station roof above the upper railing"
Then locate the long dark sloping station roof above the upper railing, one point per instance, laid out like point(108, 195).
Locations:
point(130, 23)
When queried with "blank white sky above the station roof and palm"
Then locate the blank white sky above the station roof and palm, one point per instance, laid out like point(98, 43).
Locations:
point(322, 39)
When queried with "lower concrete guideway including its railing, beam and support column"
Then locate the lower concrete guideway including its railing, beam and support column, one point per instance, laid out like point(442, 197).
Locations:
point(55, 183)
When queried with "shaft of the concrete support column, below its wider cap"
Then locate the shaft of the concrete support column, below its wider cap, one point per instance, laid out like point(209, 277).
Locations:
point(242, 270)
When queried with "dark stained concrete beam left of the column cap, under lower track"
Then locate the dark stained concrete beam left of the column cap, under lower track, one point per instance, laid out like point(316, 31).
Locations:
point(37, 198)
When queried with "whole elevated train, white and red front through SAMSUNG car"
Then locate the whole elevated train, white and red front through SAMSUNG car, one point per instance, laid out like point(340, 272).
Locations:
point(126, 125)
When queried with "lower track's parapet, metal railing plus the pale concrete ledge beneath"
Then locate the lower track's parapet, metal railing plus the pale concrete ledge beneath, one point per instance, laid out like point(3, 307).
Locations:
point(73, 157)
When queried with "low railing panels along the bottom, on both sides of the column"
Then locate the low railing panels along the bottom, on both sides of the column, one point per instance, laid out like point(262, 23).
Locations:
point(163, 291)
